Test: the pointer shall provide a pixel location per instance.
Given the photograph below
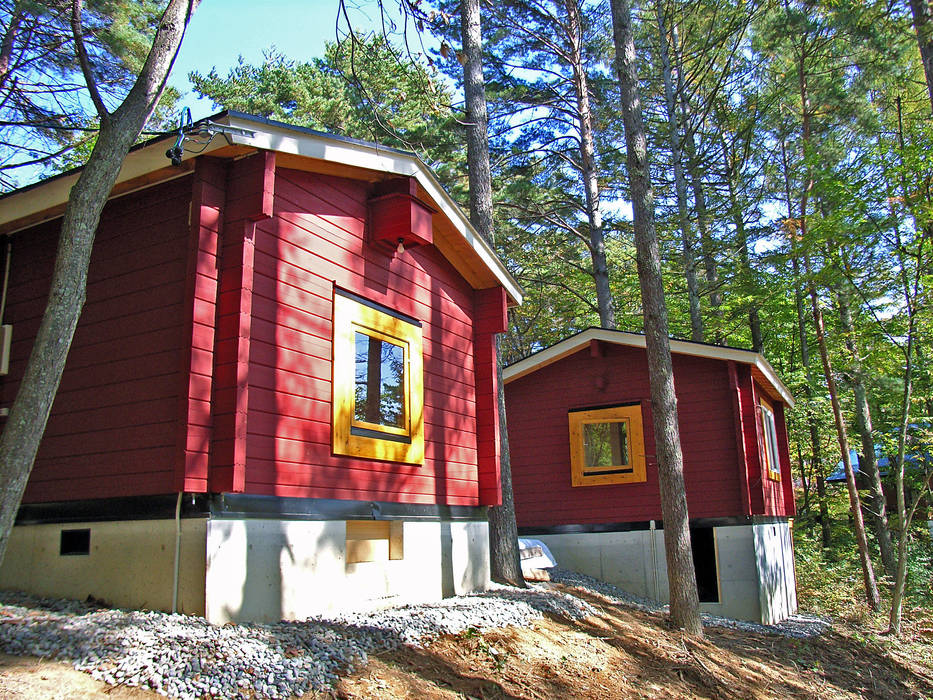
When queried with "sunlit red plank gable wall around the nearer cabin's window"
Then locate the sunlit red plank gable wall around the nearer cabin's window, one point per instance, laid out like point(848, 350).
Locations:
point(316, 239)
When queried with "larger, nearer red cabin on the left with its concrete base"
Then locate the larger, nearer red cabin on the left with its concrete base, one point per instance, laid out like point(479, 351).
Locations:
point(281, 396)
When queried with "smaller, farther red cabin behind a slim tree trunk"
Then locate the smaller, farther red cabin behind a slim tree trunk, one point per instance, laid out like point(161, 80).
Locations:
point(585, 476)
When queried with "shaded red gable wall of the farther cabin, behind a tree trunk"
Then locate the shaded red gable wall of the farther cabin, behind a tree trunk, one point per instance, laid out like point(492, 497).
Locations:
point(537, 406)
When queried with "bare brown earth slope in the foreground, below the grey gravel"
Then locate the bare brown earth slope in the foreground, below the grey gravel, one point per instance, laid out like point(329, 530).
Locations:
point(620, 652)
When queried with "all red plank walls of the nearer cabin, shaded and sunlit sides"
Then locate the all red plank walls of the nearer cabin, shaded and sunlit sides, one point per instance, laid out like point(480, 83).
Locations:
point(203, 359)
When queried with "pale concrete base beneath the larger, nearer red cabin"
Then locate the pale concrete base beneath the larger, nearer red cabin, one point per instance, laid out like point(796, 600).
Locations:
point(246, 570)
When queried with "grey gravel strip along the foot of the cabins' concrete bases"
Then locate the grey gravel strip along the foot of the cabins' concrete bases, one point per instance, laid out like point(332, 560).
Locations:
point(185, 657)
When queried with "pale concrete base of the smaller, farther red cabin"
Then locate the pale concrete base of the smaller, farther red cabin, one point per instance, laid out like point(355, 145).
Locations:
point(635, 562)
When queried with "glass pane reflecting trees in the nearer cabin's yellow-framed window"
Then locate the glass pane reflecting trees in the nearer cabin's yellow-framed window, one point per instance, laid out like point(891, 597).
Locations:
point(379, 395)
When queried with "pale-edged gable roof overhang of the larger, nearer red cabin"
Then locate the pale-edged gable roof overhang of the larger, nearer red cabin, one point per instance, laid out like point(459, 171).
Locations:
point(296, 147)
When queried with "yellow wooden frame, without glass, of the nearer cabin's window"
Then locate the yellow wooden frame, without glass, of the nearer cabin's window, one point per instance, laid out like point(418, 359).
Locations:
point(357, 438)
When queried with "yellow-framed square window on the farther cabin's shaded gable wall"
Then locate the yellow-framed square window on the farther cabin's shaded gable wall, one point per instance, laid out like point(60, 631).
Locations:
point(607, 446)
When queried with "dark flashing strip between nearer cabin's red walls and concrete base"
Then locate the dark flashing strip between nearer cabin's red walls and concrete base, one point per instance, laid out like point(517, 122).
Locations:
point(229, 506)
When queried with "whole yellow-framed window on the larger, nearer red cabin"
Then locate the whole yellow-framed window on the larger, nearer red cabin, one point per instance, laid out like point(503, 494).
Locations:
point(377, 384)
